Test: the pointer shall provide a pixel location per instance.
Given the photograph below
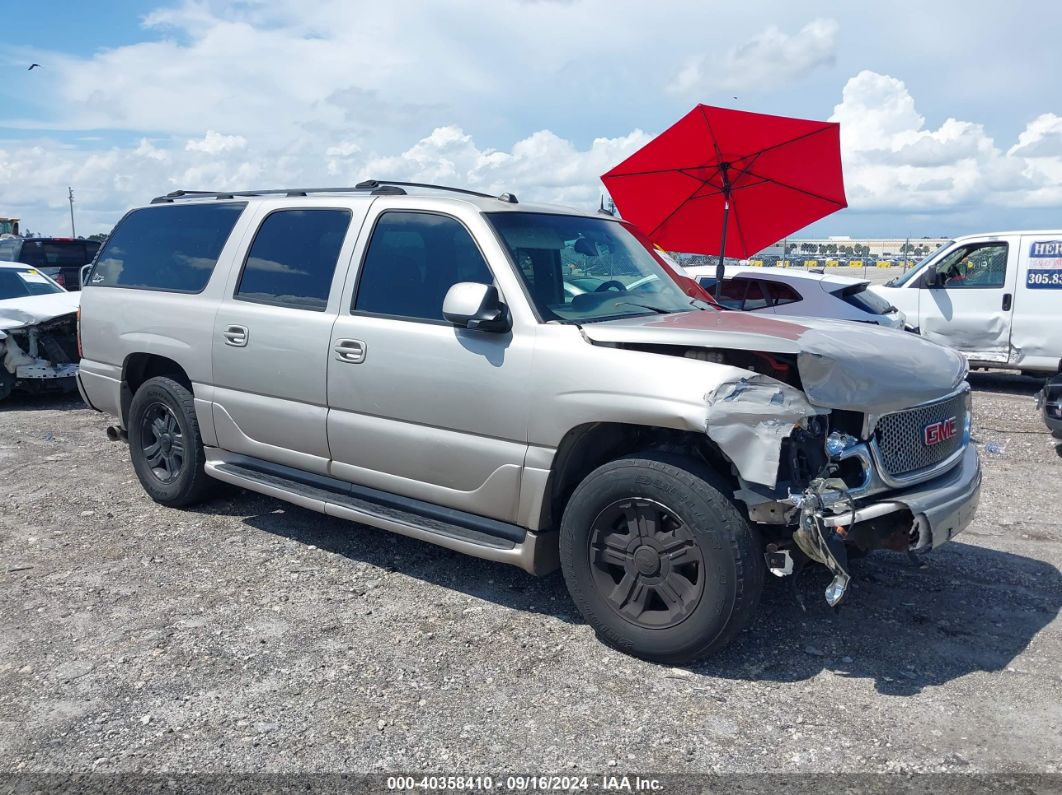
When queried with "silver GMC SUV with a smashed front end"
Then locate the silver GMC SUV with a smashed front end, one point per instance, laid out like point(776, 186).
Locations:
point(525, 384)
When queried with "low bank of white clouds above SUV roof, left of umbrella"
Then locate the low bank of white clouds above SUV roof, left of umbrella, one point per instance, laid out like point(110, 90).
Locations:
point(542, 167)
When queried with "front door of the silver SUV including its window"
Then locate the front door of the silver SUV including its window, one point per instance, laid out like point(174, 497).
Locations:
point(418, 407)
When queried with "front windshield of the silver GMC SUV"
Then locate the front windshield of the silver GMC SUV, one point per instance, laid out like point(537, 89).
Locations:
point(583, 270)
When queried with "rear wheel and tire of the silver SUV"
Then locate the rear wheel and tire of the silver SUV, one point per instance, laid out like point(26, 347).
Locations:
point(165, 444)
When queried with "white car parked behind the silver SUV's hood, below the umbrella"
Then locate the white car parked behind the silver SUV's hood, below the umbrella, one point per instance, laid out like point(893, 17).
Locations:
point(801, 293)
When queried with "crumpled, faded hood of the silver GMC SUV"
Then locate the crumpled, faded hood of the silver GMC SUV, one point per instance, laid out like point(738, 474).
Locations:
point(843, 366)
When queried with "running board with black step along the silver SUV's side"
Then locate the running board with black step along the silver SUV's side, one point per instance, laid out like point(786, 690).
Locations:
point(456, 530)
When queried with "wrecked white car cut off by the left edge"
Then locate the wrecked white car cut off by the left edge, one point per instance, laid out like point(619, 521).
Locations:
point(39, 333)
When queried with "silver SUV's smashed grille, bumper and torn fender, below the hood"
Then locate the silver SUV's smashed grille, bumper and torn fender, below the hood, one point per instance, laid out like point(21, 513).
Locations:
point(907, 483)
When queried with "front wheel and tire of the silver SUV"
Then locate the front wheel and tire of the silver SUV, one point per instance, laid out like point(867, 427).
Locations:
point(698, 585)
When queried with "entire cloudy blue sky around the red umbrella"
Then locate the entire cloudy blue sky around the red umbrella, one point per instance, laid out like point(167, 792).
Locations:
point(951, 113)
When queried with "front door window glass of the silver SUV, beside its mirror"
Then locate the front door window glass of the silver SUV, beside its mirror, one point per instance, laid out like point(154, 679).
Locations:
point(414, 260)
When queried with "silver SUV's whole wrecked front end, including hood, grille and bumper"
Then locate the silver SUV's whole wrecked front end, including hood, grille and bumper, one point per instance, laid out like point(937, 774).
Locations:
point(844, 438)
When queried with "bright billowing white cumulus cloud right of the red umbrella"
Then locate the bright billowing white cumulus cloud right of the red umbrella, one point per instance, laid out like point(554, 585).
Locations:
point(894, 163)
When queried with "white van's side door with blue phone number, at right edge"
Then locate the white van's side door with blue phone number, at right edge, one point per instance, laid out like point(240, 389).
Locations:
point(1037, 325)
